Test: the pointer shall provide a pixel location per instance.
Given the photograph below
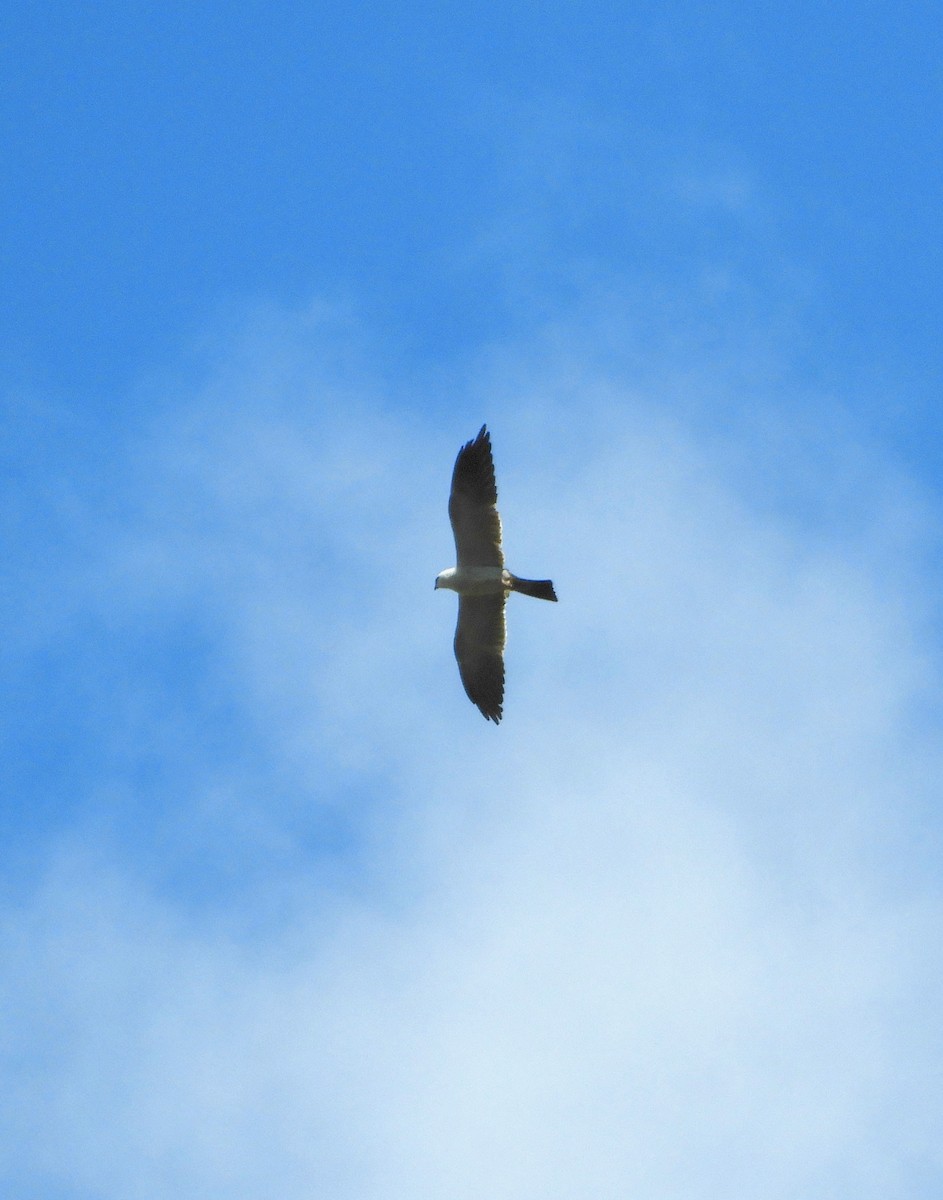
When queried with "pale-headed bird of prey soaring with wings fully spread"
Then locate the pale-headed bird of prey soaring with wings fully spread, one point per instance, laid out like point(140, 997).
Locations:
point(480, 578)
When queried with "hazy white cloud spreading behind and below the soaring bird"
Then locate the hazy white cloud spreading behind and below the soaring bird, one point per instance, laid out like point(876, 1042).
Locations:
point(658, 935)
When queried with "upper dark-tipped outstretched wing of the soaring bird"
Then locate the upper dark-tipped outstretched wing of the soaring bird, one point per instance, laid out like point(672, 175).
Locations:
point(473, 506)
